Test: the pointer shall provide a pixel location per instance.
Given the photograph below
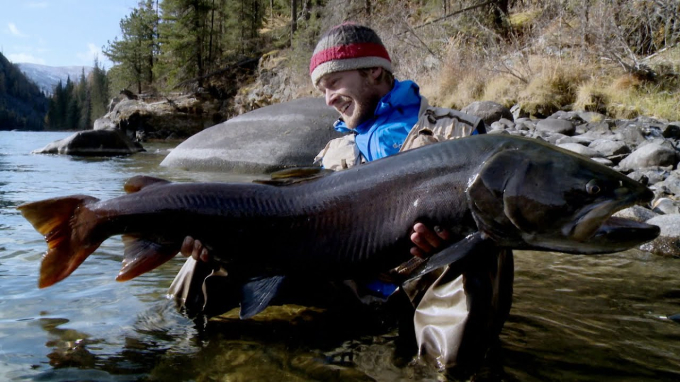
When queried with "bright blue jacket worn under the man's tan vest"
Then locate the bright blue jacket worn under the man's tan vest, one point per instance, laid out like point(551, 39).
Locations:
point(384, 133)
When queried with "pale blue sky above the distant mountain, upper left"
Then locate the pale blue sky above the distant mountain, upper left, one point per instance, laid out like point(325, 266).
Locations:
point(60, 32)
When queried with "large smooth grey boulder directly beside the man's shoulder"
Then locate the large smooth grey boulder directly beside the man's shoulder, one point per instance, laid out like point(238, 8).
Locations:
point(288, 134)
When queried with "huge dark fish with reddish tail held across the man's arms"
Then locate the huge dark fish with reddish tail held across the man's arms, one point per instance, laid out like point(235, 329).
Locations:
point(515, 192)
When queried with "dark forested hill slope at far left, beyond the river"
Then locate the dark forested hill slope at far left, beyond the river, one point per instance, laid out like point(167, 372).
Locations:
point(22, 104)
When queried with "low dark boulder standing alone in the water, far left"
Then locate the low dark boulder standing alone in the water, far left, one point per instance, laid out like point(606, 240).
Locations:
point(93, 143)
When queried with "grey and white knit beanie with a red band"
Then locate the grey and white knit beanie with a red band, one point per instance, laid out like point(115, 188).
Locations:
point(348, 46)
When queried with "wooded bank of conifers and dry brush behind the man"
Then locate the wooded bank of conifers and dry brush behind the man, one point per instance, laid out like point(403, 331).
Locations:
point(617, 57)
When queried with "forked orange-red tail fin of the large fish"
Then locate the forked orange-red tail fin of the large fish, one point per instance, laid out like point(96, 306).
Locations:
point(67, 224)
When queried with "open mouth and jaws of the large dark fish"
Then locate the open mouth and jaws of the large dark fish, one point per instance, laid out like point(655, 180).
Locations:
point(604, 233)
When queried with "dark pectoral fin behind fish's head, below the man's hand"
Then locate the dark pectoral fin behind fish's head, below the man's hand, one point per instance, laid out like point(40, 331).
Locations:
point(452, 254)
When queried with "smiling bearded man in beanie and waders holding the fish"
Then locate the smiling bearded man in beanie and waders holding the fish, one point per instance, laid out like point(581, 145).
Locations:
point(458, 313)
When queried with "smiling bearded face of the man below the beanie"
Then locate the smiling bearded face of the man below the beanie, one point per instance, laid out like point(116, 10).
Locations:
point(353, 95)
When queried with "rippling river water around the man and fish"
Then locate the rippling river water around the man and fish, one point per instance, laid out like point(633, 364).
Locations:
point(574, 318)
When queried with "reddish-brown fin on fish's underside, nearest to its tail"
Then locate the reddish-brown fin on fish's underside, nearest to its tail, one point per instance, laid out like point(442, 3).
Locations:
point(144, 254)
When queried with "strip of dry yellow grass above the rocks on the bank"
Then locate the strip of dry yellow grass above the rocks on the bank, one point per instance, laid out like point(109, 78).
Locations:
point(544, 84)
